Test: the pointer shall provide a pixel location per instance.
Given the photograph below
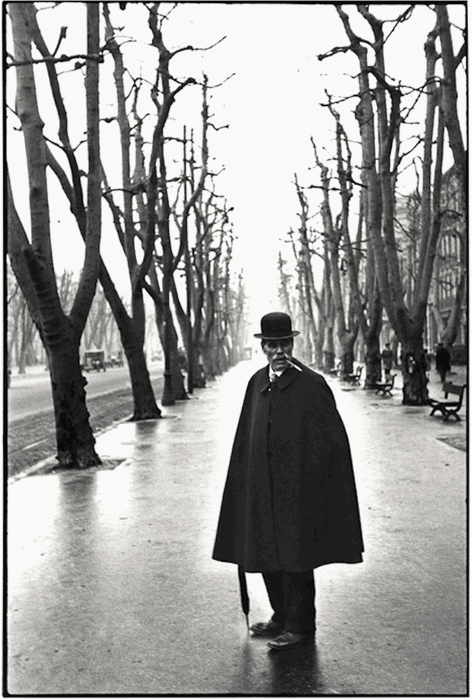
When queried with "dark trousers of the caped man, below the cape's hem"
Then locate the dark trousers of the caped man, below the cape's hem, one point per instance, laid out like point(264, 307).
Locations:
point(292, 597)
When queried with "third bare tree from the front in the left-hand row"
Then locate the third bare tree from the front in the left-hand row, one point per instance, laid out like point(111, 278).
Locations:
point(151, 194)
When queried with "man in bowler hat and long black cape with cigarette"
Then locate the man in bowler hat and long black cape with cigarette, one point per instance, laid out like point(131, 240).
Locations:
point(289, 503)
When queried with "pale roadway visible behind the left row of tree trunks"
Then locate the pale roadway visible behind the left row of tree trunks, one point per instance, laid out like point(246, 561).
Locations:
point(30, 394)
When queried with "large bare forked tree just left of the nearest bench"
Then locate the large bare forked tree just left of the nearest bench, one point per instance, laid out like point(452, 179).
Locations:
point(379, 116)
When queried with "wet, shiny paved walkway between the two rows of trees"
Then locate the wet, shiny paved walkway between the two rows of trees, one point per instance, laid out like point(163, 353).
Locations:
point(112, 589)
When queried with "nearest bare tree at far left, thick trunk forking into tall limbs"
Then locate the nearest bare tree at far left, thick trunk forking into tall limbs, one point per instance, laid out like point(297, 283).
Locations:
point(32, 261)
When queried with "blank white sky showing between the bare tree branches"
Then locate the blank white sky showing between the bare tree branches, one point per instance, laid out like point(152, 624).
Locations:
point(272, 106)
